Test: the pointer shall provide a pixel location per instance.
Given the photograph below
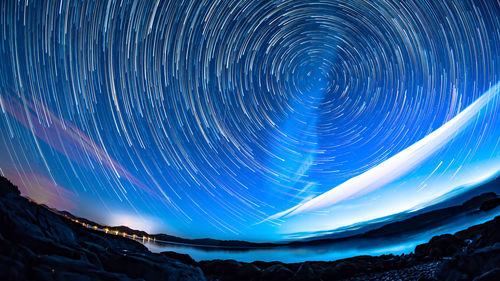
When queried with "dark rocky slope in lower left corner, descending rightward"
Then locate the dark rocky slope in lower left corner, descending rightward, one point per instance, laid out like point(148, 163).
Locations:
point(37, 244)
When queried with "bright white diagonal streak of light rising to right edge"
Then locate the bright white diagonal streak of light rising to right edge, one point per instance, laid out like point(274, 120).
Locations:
point(398, 165)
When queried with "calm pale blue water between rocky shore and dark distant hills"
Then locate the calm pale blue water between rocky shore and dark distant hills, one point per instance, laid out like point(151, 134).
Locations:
point(332, 251)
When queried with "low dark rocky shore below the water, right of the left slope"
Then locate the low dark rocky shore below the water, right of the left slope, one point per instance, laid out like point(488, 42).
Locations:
point(472, 254)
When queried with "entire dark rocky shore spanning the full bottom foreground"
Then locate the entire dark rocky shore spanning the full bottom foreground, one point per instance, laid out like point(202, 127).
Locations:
point(38, 244)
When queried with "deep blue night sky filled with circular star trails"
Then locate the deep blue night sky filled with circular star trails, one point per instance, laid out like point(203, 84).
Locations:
point(256, 120)
